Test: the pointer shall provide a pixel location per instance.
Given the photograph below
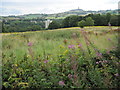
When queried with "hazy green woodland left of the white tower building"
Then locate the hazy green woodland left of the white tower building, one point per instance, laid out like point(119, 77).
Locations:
point(22, 25)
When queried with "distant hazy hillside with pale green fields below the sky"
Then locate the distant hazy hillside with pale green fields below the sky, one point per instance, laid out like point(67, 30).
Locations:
point(62, 15)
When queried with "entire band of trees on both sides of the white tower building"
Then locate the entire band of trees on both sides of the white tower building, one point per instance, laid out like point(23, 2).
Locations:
point(22, 25)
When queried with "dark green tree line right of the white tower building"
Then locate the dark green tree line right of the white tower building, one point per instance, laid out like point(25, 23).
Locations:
point(88, 20)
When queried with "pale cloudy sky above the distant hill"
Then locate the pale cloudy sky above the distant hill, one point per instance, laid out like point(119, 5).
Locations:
point(20, 7)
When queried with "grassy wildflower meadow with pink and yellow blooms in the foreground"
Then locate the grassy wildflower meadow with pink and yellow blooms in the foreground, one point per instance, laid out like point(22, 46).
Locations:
point(61, 58)
